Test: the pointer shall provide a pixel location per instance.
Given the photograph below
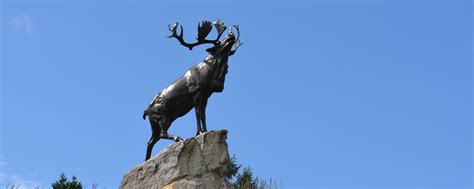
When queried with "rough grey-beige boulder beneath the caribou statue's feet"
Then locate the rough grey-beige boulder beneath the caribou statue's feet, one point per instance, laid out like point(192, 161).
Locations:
point(196, 162)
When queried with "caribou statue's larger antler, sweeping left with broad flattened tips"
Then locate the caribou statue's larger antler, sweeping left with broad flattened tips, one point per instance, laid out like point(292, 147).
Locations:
point(204, 28)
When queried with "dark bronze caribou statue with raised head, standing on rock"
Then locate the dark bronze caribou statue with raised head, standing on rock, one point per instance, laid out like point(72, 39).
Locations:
point(196, 86)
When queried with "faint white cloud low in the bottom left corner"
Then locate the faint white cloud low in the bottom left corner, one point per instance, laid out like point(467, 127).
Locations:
point(8, 180)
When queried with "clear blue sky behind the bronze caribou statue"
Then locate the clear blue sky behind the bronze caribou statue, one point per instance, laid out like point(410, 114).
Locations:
point(322, 94)
